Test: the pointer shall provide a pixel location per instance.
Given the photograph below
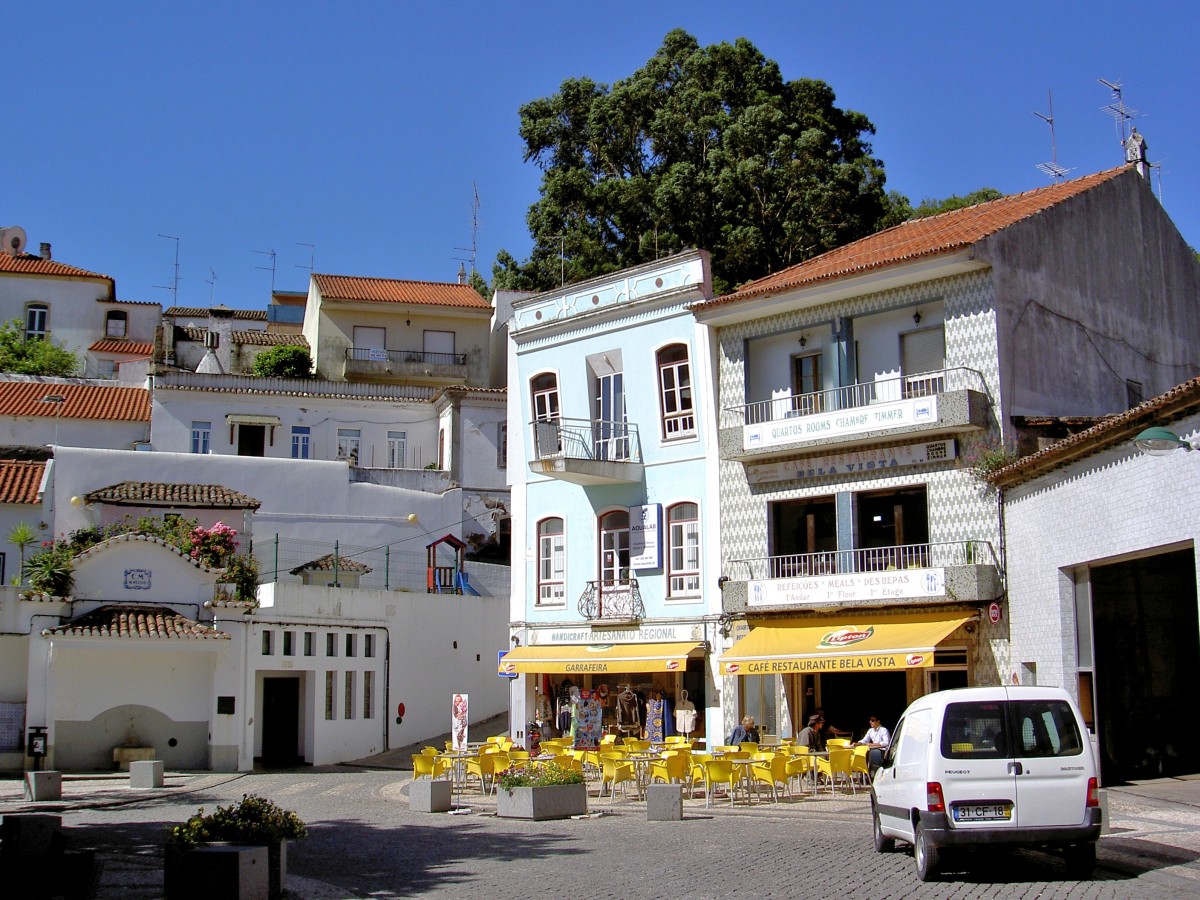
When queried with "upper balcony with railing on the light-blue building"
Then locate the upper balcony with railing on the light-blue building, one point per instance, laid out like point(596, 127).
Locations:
point(587, 453)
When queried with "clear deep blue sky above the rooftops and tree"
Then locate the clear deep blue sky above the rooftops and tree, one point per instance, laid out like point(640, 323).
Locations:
point(361, 128)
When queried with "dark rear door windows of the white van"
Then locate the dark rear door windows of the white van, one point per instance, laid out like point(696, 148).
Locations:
point(999, 730)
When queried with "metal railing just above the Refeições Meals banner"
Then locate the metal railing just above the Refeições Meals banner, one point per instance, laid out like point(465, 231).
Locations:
point(871, 560)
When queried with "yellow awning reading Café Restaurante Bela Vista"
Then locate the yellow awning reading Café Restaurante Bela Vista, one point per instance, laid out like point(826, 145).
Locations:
point(863, 643)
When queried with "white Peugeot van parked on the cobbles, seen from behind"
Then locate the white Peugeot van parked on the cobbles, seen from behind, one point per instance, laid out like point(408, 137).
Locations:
point(979, 766)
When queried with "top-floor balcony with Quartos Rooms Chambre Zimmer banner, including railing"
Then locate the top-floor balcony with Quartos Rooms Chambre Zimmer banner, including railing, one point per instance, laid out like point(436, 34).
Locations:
point(933, 404)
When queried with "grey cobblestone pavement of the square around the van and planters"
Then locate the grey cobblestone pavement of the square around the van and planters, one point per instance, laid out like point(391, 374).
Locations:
point(365, 843)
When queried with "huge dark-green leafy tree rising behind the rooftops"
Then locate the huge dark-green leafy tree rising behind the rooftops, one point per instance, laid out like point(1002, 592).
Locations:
point(703, 147)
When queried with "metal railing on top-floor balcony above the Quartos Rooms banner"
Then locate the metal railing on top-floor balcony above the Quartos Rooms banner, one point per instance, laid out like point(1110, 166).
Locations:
point(884, 391)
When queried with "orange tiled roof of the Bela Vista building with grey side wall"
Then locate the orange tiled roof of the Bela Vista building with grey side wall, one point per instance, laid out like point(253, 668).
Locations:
point(916, 239)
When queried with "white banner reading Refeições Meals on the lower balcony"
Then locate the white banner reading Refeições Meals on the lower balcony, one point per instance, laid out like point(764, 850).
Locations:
point(853, 589)
